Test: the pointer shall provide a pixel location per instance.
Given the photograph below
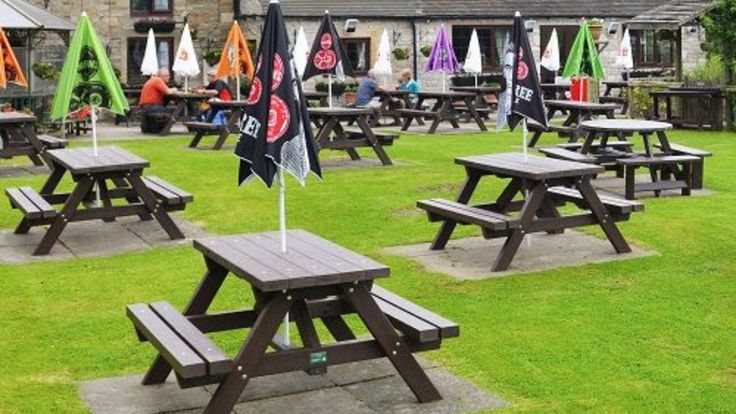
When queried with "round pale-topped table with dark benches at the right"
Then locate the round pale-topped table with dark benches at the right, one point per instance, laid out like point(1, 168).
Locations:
point(668, 170)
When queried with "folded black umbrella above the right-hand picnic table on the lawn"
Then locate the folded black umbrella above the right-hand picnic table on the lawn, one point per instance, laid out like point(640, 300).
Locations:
point(522, 81)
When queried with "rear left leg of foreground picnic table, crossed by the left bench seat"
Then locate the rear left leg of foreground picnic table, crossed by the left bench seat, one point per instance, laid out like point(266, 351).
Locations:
point(198, 305)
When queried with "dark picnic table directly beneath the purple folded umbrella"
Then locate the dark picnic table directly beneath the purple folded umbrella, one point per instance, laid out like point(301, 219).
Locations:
point(443, 110)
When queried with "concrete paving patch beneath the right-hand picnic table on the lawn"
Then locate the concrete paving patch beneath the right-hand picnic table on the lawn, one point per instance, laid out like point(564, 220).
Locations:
point(472, 257)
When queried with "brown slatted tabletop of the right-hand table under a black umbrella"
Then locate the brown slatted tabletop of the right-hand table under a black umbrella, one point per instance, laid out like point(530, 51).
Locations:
point(536, 168)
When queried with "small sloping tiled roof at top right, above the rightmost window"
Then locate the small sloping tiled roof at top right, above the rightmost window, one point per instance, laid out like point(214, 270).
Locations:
point(671, 15)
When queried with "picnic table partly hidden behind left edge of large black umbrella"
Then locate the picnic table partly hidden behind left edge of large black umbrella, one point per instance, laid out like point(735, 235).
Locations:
point(234, 111)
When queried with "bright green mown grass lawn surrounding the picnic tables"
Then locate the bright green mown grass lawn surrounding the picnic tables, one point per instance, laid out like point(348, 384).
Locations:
point(652, 334)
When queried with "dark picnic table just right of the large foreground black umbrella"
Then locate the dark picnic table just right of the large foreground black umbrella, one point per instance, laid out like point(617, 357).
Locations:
point(331, 134)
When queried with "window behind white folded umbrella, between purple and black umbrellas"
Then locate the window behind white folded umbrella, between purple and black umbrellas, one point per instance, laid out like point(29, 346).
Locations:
point(492, 41)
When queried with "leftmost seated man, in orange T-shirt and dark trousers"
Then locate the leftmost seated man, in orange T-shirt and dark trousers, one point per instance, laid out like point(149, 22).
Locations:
point(153, 101)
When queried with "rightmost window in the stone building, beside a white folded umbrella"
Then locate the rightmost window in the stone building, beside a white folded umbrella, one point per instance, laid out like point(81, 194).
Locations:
point(653, 49)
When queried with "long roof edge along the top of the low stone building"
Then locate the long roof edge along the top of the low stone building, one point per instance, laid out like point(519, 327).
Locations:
point(465, 8)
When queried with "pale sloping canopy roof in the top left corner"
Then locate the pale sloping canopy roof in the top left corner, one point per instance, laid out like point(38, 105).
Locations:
point(19, 15)
